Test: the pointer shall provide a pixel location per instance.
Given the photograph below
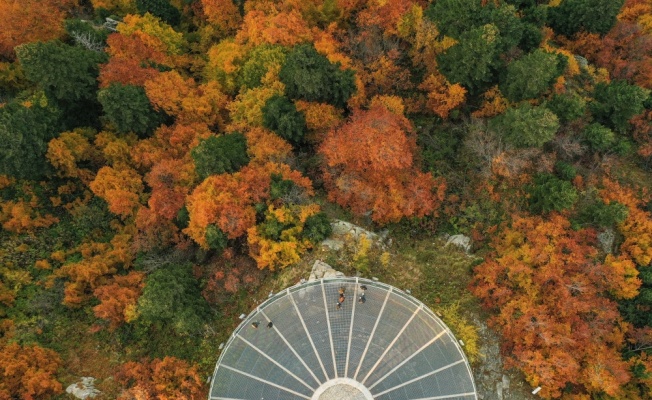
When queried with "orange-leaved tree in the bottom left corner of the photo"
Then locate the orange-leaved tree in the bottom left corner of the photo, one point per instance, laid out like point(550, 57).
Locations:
point(28, 372)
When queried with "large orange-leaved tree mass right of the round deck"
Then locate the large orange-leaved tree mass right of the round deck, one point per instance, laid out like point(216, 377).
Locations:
point(552, 302)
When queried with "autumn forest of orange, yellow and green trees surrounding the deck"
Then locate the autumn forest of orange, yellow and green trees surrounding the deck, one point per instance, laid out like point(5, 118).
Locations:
point(164, 164)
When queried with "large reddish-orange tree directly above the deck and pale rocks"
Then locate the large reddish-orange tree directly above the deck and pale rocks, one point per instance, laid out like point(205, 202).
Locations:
point(369, 167)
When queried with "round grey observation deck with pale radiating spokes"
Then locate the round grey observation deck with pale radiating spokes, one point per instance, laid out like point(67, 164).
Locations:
point(385, 346)
